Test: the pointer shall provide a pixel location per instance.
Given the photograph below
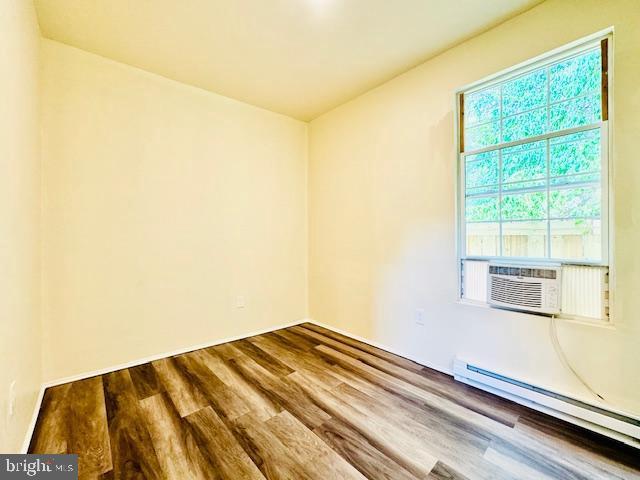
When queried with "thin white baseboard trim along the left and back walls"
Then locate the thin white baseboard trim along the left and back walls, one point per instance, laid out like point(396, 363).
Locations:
point(134, 363)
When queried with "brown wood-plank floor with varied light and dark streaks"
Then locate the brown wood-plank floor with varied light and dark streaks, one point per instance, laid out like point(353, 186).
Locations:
point(307, 403)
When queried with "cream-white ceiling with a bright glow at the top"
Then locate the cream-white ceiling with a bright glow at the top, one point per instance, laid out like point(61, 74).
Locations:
point(297, 57)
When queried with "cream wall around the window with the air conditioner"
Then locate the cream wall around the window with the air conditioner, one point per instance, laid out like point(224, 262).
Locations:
point(382, 213)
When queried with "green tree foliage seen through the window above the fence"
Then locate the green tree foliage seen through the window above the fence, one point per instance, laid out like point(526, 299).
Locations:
point(563, 95)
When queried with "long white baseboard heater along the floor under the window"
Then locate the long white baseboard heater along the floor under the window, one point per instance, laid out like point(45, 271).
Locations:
point(600, 418)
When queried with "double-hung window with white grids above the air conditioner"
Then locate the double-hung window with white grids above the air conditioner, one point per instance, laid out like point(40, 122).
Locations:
point(534, 161)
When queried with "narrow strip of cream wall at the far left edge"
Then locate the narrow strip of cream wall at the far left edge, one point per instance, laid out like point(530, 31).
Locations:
point(19, 219)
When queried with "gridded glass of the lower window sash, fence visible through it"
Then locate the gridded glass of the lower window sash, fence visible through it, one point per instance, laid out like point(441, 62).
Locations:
point(539, 215)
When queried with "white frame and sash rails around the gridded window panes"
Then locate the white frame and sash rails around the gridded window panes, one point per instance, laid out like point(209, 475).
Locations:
point(567, 51)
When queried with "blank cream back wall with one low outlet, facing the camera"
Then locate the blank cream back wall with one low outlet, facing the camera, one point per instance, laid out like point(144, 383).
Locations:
point(162, 204)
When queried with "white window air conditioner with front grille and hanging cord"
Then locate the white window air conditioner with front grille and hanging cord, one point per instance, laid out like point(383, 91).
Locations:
point(524, 287)
